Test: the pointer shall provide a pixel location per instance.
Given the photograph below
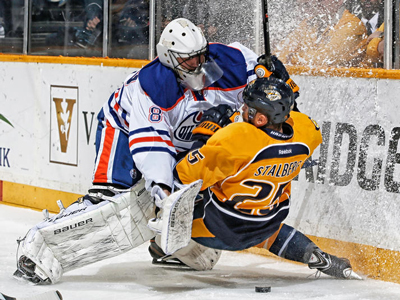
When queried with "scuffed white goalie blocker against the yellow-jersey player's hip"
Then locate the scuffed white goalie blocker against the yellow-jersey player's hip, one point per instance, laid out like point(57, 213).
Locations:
point(177, 217)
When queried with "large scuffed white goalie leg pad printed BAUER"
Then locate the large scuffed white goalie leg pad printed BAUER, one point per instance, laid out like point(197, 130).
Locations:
point(85, 233)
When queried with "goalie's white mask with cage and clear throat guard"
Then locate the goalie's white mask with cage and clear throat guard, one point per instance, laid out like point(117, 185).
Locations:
point(184, 49)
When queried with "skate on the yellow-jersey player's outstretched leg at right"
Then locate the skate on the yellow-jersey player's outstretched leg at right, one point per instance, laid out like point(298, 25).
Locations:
point(332, 265)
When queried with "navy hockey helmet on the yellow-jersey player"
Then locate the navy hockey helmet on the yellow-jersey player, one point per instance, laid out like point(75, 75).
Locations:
point(271, 97)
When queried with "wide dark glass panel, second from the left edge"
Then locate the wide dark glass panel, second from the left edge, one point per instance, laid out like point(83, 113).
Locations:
point(66, 27)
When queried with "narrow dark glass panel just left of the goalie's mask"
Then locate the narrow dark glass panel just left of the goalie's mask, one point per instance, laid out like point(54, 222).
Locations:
point(129, 35)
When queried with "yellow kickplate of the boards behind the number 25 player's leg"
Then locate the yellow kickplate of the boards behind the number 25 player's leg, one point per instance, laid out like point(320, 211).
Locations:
point(376, 263)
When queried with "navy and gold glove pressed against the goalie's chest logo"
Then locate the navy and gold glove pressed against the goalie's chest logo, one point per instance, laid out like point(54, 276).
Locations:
point(212, 120)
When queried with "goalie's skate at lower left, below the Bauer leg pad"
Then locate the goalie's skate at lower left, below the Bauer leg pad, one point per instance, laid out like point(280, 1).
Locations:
point(27, 270)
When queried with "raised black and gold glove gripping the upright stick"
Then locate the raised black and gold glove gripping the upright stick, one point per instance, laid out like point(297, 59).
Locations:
point(278, 70)
